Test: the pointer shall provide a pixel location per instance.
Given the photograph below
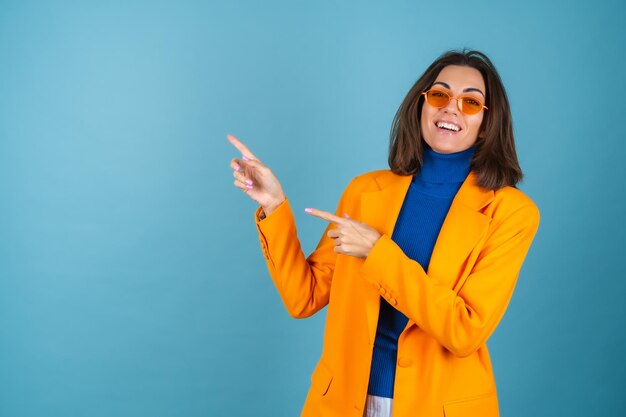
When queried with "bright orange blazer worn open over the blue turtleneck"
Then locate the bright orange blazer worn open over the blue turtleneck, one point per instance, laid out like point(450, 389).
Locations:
point(443, 366)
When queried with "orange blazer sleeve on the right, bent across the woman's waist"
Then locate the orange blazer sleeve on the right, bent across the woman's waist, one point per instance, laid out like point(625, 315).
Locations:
point(460, 319)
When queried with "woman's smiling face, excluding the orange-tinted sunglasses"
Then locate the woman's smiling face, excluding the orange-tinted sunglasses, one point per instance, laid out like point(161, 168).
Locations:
point(447, 129)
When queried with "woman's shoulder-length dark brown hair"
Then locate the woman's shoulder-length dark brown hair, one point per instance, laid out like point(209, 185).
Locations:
point(495, 160)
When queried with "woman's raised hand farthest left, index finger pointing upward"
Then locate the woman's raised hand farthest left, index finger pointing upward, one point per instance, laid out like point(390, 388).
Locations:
point(255, 179)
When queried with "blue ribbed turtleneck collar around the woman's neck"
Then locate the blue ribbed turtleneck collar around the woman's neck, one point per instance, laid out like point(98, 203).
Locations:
point(448, 168)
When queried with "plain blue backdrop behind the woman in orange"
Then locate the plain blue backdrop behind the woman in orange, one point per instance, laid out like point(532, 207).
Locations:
point(131, 280)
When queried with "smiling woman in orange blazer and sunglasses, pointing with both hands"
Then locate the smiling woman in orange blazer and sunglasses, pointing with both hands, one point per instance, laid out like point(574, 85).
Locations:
point(419, 263)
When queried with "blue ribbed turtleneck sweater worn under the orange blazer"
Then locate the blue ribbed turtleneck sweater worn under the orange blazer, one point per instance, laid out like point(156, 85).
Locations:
point(424, 209)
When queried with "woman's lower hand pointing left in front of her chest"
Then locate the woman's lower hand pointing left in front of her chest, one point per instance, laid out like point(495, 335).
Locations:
point(351, 237)
